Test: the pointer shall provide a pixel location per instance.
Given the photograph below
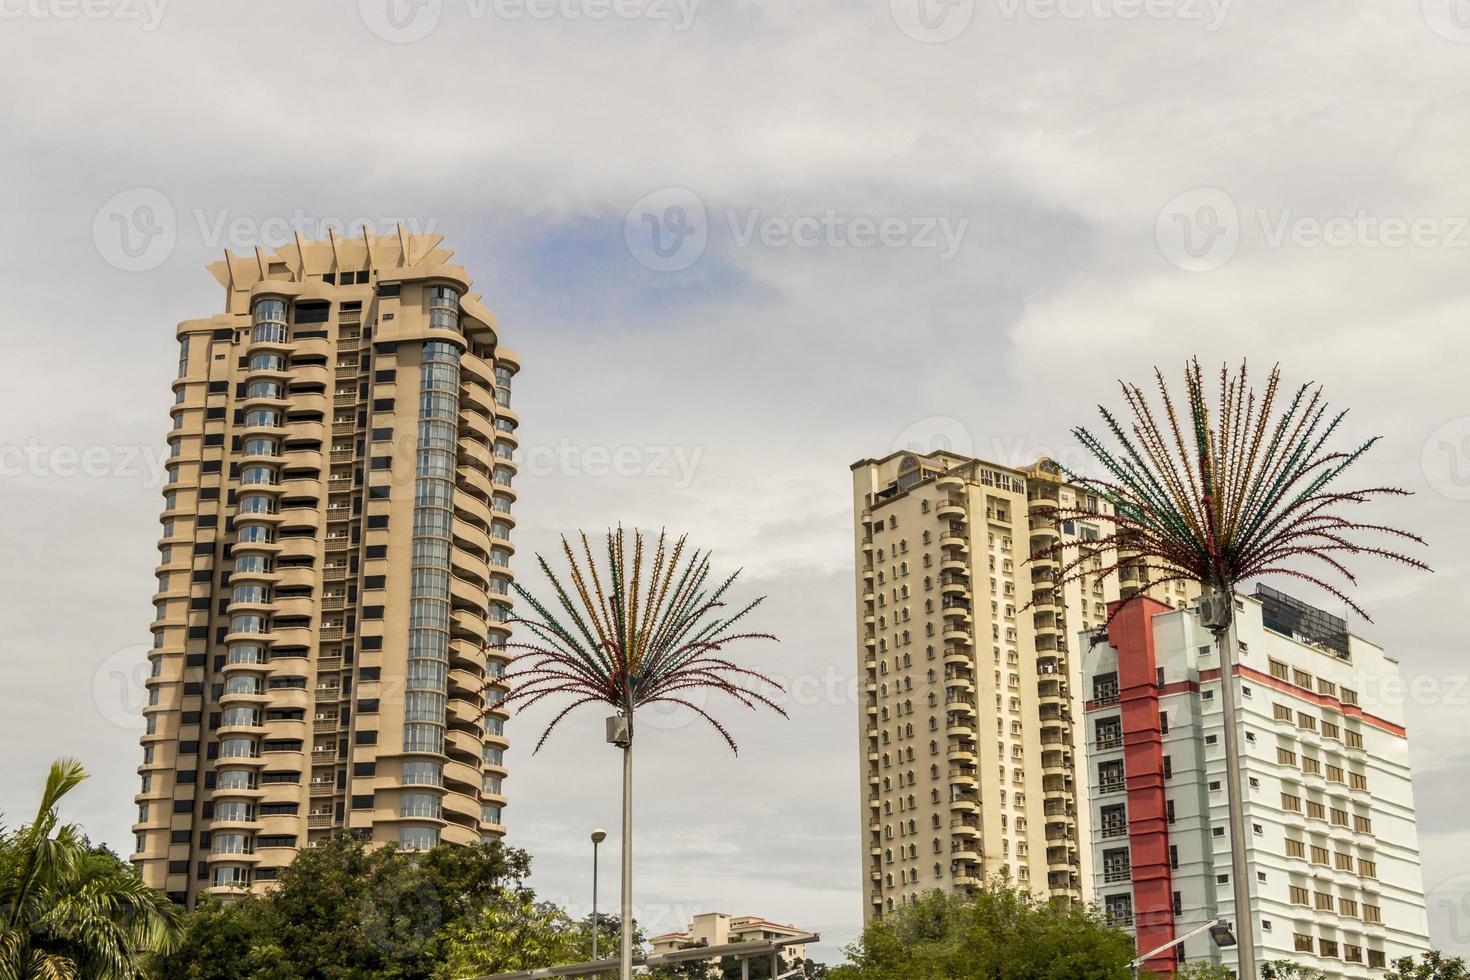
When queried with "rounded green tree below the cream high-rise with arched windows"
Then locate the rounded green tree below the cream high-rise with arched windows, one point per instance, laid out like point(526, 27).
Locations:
point(1003, 931)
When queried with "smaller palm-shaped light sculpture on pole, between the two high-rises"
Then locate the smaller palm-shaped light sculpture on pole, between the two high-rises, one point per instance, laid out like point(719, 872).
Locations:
point(639, 633)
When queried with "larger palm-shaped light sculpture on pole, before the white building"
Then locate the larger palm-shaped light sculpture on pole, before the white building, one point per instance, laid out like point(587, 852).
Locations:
point(1227, 494)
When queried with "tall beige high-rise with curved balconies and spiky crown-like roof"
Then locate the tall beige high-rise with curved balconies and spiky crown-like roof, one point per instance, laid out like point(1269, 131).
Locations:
point(334, 568)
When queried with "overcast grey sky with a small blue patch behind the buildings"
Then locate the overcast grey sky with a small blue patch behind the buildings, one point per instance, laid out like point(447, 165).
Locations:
point(740, 246)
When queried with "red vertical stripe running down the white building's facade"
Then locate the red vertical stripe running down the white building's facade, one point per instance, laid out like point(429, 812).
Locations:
point(1133, 635)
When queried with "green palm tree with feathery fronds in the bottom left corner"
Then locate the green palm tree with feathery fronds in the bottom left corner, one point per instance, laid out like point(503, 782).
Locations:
point(70, 910)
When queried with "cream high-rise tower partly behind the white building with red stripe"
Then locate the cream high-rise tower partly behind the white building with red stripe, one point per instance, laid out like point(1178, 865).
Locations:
point(969, 728)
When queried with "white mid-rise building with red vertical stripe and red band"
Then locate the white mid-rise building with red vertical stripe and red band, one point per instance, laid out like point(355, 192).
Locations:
point(1330, 806)
